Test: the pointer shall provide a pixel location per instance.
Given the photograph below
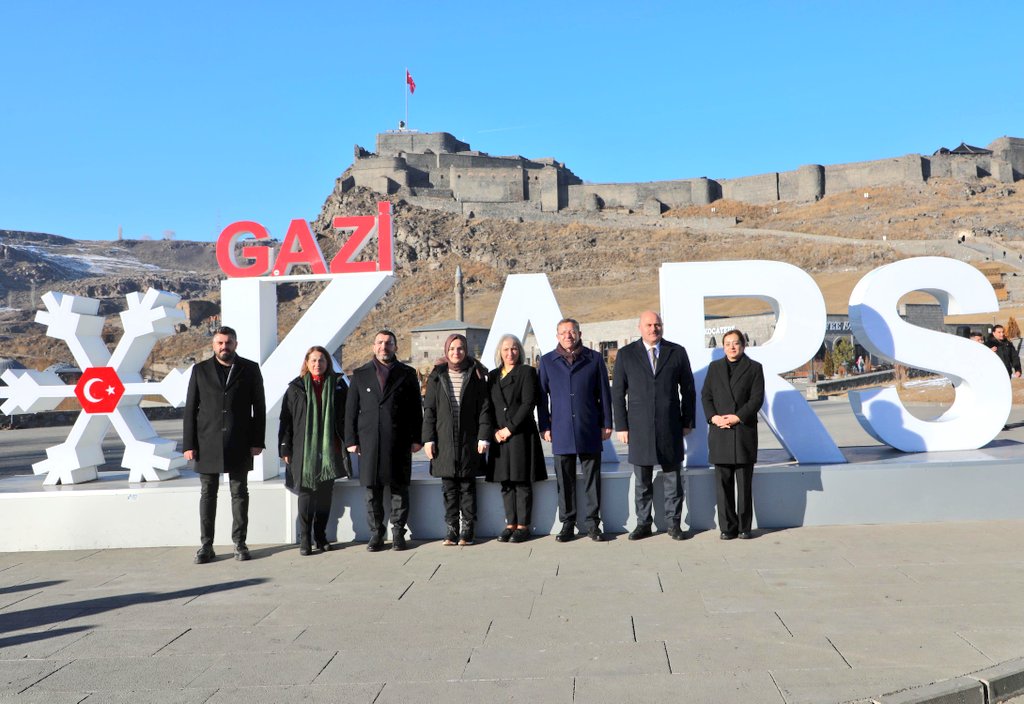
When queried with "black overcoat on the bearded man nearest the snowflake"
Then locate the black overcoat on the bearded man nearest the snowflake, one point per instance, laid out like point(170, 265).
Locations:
point(224, 423)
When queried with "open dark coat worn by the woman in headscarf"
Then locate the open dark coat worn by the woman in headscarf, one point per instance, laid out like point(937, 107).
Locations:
point(457, 457)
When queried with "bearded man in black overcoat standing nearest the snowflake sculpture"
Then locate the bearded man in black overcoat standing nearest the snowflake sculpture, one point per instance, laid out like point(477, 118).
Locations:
point(225, 428)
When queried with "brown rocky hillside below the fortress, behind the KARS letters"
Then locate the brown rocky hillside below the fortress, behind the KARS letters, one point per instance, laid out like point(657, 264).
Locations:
point(601, 270)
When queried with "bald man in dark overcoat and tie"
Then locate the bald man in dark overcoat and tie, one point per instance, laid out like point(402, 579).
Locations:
point(655, 404)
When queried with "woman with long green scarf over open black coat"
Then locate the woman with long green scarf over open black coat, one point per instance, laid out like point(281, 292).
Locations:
point(311, 441)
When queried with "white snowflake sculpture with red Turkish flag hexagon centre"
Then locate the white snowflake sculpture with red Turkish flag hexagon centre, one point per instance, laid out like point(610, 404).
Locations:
point(110, 390)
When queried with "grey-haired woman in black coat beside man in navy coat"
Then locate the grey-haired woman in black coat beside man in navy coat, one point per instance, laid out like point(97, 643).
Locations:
point(517, 458)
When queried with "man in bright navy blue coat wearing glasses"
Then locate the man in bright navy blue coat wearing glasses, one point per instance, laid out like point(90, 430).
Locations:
point(575, 416)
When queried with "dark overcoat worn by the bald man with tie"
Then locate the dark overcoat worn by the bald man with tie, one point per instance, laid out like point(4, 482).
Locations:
point(654, 408)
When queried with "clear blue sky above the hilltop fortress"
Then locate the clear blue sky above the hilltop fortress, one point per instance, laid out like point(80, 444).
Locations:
point(189, 116)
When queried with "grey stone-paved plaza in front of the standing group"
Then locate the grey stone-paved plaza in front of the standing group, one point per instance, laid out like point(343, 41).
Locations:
point(808, 614)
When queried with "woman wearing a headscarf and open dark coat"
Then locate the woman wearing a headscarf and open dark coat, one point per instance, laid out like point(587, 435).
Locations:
point(456, 434)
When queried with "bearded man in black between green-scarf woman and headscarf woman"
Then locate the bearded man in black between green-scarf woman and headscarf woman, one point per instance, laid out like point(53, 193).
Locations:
point(383, 421)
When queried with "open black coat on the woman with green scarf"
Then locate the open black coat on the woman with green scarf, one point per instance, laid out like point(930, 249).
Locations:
point(292, 431)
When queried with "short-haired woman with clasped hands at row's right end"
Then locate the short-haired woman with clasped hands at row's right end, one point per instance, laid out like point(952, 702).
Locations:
point(733, 395)
